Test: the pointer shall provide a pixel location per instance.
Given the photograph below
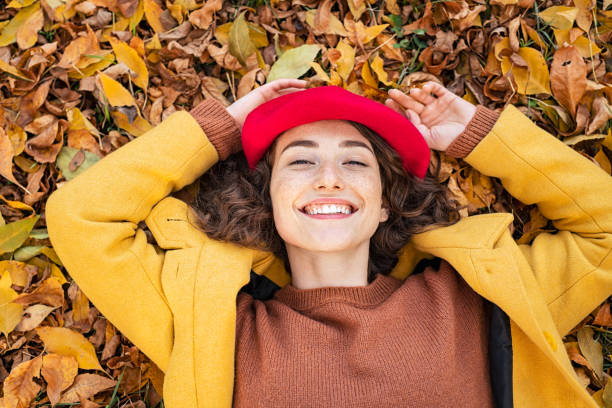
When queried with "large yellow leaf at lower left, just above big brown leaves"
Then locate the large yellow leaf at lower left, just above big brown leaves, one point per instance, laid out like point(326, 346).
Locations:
point(68, 342)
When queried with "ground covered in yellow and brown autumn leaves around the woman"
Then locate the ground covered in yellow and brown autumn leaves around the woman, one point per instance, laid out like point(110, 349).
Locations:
point(80, 78)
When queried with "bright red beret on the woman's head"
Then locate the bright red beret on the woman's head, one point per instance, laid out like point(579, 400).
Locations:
point(264, 123)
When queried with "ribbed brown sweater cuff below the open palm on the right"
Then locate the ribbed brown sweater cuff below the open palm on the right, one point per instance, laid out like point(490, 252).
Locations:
point(478, 127)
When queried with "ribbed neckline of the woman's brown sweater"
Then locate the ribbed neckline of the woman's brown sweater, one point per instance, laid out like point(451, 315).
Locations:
point(376, 292)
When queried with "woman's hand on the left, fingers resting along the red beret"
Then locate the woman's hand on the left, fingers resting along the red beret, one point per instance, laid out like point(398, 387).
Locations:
point(243, 106)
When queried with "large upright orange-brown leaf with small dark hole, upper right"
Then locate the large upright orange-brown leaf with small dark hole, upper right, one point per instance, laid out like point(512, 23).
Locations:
point(568, 77)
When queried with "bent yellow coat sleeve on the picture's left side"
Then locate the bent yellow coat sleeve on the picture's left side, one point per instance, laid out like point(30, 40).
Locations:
point(93, 219)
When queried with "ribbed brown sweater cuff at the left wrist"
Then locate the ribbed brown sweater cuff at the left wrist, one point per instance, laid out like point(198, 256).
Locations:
point(219, 126)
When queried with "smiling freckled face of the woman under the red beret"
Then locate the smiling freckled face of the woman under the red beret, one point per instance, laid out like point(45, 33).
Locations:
point(325, 187)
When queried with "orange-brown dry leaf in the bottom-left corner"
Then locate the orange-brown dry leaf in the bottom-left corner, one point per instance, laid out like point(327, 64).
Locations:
point(19, 388)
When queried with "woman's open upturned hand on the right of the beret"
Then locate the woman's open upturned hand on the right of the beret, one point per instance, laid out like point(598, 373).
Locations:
point(440, 118)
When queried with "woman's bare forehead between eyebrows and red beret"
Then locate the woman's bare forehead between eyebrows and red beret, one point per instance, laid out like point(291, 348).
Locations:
point(322, 131)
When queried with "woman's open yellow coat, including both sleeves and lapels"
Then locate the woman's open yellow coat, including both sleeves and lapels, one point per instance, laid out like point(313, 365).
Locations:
point(176, 300)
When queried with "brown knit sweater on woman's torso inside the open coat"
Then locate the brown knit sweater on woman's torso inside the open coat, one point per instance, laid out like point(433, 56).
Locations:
point(417, 343)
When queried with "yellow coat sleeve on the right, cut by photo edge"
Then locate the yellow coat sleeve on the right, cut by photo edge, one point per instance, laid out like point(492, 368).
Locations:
point(573, 266)
